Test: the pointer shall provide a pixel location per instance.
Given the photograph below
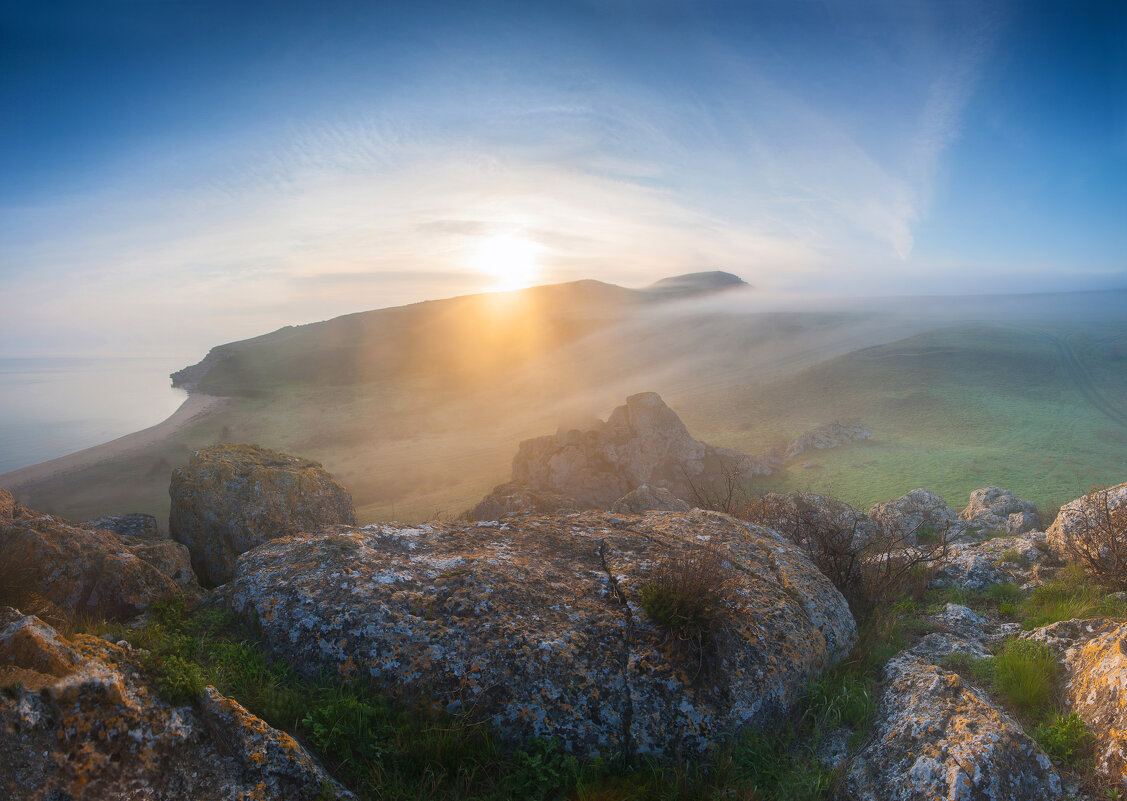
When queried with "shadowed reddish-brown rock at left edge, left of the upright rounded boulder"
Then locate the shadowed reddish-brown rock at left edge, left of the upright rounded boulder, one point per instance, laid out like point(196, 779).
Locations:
point(66, 571)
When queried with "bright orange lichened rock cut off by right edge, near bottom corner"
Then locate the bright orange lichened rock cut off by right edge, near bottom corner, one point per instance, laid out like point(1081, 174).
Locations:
point(1095, 655)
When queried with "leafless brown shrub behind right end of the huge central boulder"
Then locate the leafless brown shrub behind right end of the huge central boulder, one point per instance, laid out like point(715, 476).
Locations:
point(869, 566)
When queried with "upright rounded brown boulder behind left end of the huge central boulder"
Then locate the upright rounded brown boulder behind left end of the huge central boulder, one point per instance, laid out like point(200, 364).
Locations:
point(230, 499)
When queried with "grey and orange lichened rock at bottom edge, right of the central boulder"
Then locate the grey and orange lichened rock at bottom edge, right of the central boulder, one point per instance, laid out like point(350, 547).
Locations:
point(936, 737)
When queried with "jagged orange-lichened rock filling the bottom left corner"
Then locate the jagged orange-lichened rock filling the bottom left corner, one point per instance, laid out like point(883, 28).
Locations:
point(77, 722)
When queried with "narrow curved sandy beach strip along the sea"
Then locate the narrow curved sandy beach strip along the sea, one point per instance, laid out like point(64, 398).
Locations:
point(193, 410)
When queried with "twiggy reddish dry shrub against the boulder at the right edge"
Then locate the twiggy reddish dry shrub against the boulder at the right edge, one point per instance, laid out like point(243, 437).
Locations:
point(1096, 538)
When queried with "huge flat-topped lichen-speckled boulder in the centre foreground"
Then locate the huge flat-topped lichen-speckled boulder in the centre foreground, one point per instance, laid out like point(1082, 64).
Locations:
point(536, 625)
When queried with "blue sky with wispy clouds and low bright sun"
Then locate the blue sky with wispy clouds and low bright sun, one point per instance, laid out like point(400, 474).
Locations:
point(179, 175)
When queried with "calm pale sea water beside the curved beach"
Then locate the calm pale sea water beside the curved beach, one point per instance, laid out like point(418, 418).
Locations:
point(52, 407)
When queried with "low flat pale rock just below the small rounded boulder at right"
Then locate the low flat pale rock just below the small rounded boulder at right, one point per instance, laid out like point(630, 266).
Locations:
point(1001, 560)
